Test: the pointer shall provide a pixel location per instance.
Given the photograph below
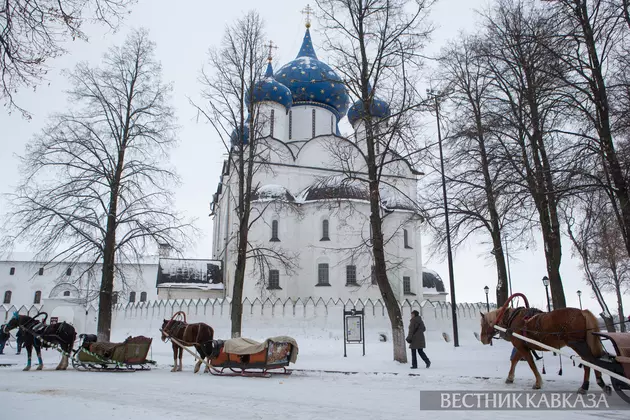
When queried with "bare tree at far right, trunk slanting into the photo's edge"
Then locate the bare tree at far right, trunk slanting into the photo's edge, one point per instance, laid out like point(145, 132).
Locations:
point(596, 33)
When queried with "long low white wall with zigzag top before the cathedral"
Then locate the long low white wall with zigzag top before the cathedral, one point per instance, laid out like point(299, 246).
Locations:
point(309, 317)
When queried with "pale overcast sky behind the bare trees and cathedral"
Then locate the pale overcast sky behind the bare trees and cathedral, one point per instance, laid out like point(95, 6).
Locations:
point(183, 32)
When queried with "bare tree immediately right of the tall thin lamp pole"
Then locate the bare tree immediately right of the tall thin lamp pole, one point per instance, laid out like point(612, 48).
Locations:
point(479, 182)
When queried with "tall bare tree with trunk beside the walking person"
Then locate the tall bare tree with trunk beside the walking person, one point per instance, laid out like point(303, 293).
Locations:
point(375, 45)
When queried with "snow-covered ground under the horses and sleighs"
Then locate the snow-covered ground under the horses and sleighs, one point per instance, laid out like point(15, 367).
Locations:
point(377, 388)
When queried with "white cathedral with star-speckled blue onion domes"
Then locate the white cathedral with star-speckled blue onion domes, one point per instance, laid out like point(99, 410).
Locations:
point(307, 207)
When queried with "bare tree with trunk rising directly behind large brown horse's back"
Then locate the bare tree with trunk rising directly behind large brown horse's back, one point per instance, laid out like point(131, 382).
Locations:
point(528, 115)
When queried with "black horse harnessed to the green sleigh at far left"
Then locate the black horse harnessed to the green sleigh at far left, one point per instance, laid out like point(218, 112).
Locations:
point(61, 334)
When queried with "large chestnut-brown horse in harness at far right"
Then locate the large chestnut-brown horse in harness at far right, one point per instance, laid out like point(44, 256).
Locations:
point(559, 328)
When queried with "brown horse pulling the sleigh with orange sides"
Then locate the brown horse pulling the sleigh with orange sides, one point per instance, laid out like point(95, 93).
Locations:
point(197, 335)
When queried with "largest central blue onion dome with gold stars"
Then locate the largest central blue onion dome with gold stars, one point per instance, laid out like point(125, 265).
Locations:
point(314, 82)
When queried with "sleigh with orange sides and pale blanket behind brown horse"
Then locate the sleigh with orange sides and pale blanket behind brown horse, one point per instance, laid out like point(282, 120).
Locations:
point(246, 357)
